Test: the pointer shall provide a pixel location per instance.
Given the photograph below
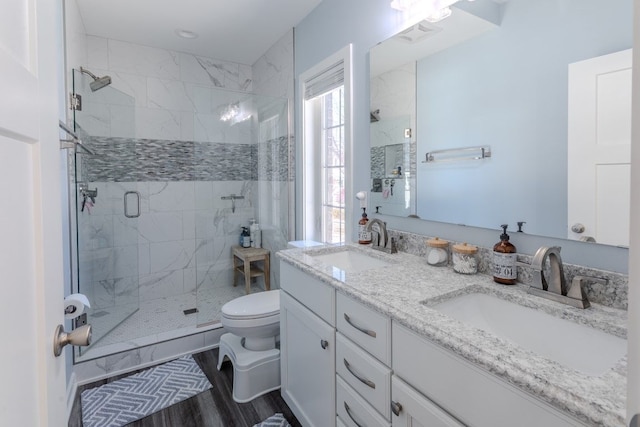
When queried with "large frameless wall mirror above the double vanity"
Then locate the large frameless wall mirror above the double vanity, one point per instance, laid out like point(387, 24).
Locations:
point(508, 111)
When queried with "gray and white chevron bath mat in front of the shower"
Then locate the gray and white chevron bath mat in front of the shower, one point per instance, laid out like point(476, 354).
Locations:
point(129, 399)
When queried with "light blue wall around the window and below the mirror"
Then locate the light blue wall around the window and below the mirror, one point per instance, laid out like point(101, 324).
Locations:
point(363, 23)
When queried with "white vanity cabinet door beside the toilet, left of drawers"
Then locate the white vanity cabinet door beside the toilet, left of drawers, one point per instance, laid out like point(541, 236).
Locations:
point(307, 346)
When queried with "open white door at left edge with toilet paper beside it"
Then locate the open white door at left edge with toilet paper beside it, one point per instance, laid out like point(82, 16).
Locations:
point(33, 380)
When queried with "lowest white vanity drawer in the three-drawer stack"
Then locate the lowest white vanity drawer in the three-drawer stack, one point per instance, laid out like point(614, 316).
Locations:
point(354, 411)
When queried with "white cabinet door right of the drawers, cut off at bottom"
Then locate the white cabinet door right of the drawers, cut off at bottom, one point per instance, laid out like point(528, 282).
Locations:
point(411, 409)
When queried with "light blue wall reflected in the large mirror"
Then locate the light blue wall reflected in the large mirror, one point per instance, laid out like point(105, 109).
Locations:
point(508, 89)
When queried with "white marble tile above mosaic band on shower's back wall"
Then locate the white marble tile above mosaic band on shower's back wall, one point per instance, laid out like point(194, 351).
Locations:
point(162, 94)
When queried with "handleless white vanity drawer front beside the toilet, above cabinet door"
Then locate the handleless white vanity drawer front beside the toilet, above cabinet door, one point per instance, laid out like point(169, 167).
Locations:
point(311, 292)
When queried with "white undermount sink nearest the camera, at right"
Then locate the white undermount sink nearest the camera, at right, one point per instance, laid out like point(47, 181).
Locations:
point(580, 347)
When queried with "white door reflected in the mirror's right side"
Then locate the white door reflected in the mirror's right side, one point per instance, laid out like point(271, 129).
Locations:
point(599, 149)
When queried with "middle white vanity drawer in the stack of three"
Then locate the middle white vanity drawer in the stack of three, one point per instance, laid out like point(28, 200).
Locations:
point(365, 374)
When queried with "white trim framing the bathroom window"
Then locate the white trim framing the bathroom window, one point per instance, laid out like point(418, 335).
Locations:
point(346, 56)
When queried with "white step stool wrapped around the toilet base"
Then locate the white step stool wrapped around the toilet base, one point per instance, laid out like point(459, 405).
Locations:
point(254, 372)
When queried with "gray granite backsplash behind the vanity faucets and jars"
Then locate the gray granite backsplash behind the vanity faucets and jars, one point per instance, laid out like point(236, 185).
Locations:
point(614, 294)
